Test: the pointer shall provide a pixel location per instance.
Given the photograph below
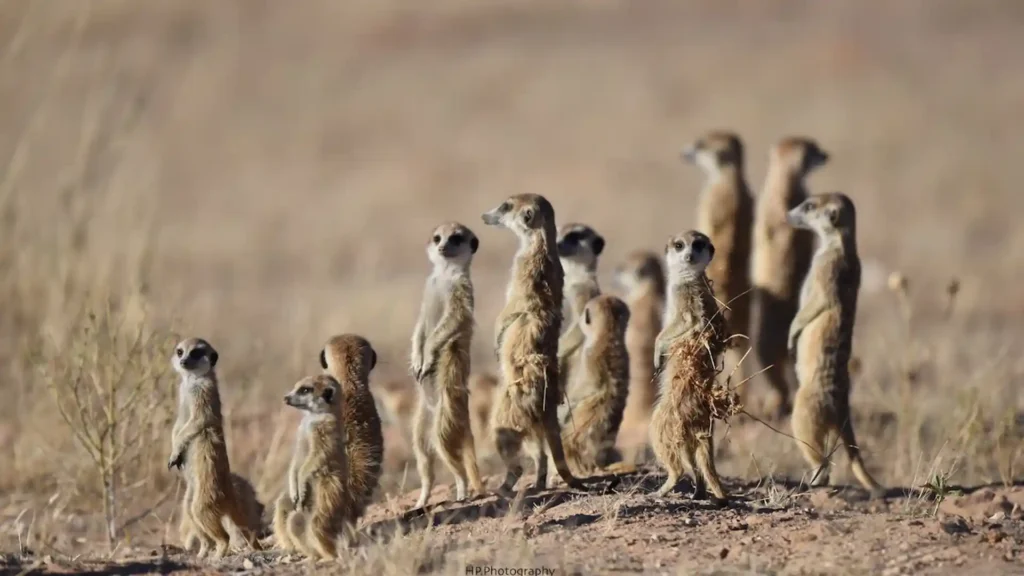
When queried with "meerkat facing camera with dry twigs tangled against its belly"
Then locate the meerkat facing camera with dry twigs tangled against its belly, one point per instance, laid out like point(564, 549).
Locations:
point(681, 427)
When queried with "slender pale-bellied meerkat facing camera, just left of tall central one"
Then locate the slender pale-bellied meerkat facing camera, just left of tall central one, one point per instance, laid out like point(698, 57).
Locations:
point(441, 363)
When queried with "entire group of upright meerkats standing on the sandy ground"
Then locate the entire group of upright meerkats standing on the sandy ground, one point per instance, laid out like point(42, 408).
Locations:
point(581, 375)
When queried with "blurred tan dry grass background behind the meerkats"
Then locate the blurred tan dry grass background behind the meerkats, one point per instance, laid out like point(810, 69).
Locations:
point(266, 176)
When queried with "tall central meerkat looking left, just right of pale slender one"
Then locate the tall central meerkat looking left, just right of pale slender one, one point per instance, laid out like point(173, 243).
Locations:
point(527, 343)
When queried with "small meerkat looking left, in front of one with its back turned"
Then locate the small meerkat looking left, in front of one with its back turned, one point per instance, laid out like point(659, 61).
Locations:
point(319, 507)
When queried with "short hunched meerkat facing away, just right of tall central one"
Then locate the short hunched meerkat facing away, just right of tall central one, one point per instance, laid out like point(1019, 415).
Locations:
point(599, 397)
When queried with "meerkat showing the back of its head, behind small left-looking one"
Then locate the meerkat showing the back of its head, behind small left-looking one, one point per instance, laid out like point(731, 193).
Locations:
point(351, 359)
